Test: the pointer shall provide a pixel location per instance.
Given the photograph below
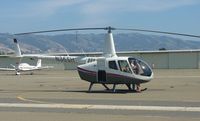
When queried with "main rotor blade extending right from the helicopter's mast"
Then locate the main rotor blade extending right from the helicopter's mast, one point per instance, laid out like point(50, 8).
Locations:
point(162, 32)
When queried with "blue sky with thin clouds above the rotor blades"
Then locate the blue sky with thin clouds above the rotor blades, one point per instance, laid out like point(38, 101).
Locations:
point(166, 15)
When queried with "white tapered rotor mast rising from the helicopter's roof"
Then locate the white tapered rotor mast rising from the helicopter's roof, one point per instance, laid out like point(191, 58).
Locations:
point(109, 47)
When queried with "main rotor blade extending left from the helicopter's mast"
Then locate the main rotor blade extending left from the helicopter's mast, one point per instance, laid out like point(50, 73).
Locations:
point(59, 30)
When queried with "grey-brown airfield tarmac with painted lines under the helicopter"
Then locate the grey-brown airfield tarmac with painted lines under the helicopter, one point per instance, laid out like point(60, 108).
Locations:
point(173, 95)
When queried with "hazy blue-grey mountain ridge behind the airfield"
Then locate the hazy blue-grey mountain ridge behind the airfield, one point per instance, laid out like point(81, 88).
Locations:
point(93, 43)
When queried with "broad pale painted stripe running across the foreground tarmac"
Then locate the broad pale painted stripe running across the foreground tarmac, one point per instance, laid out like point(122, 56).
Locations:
point(103, 107)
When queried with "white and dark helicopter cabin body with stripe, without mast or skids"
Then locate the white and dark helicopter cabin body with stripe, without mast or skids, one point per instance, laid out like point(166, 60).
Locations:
point(115, 70)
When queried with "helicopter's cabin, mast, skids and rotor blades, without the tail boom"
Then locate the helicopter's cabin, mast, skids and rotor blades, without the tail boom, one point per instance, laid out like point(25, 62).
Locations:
point(114, 70)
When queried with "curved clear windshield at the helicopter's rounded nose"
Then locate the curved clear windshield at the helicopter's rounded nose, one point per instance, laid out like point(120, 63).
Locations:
point(139, 67)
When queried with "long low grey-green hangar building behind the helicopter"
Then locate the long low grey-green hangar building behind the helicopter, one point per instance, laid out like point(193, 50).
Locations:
point(164, 59)
